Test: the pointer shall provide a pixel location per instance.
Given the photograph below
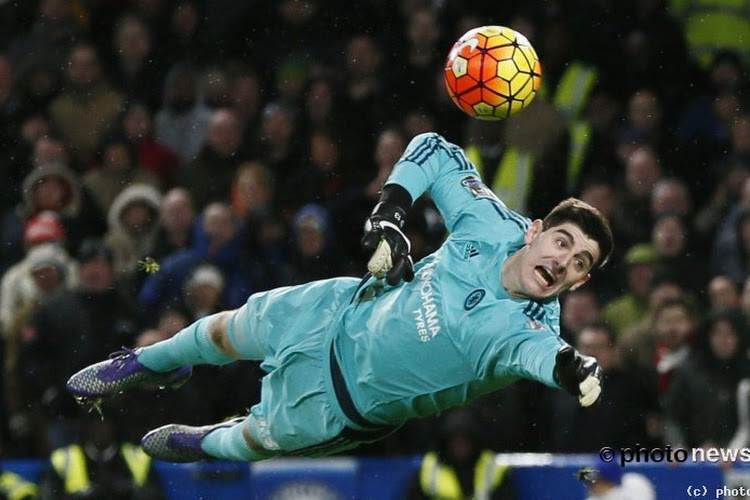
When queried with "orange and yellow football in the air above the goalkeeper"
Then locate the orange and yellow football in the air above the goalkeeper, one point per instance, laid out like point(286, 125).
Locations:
point(492, 72)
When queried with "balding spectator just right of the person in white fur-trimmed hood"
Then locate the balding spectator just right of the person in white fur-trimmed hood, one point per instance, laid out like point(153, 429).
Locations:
point(176, 221)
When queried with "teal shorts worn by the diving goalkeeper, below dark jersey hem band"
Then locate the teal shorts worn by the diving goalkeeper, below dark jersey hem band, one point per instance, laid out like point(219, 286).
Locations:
point(291, 330)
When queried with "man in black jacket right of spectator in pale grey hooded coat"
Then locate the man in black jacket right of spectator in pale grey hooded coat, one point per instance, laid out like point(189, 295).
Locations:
point(209, 176)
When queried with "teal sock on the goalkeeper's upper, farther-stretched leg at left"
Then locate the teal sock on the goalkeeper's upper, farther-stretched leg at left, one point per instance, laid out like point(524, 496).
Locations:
point(190, 346)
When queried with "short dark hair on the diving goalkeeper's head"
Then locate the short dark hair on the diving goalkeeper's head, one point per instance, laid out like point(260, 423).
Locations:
point(589, 219)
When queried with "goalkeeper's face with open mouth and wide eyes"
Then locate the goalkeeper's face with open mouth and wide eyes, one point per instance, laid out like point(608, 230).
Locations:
point(555, 260)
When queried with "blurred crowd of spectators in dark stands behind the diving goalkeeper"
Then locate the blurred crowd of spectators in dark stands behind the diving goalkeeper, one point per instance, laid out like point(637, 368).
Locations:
point(240, 146)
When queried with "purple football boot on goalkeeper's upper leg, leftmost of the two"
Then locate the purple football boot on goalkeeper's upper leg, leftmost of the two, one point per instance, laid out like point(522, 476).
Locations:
point(119, 373)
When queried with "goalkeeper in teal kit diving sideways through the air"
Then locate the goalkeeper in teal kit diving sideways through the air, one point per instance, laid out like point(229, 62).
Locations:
point(348, 361)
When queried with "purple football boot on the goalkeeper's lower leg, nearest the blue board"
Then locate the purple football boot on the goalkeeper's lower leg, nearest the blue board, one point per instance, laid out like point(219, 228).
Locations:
point(181, 443)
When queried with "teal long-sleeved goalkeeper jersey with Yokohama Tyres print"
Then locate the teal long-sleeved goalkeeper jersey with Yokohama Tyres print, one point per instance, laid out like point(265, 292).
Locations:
point(453, 333)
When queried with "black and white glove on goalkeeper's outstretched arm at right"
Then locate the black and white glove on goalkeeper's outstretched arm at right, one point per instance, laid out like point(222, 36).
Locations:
point(579, 375)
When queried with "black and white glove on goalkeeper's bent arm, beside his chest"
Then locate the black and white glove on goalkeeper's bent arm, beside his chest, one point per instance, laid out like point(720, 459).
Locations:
point(384, 235)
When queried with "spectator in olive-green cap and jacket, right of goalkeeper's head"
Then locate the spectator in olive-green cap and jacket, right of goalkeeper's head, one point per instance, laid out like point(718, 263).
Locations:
point(632, 305)
